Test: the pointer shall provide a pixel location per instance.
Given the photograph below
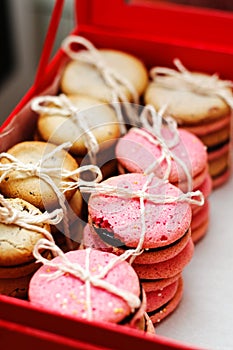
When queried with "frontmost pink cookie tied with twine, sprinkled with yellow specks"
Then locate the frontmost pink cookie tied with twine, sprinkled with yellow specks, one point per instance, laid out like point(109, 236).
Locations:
point(91, 273)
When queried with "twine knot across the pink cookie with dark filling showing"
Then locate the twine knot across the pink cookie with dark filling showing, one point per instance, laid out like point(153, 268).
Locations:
point(194, 197)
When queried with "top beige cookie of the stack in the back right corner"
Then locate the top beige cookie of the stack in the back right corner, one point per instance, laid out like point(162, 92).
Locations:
point(187, 107)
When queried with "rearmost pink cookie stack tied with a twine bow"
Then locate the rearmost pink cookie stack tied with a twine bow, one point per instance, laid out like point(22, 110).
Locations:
point(171, 153)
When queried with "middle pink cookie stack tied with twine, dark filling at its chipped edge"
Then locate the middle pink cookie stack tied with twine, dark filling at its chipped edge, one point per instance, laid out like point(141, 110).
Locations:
point(147, 220)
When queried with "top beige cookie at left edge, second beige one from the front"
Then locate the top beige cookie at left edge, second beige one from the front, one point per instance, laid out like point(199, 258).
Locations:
point(33, 189)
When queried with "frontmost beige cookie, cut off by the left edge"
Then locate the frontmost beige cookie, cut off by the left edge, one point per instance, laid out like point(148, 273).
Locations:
point(17, 243)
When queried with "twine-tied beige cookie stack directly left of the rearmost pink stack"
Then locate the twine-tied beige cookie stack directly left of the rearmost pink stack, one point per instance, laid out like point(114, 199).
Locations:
point(91, 126)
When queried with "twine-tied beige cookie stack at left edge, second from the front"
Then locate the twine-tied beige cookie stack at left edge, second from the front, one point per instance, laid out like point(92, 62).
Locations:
point(38, 172)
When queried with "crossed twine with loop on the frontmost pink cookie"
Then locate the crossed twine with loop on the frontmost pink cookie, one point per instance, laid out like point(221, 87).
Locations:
point(84, 274)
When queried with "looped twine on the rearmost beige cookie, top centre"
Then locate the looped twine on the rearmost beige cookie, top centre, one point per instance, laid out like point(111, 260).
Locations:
point(112, 78)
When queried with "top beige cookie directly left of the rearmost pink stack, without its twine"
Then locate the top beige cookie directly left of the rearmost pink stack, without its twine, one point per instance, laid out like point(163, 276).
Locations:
point(100, 118)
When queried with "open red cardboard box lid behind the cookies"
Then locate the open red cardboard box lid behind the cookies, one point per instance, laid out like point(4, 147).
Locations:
point(163, 20)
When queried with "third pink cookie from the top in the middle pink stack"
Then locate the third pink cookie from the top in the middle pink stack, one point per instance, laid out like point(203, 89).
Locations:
point(168, 268)
